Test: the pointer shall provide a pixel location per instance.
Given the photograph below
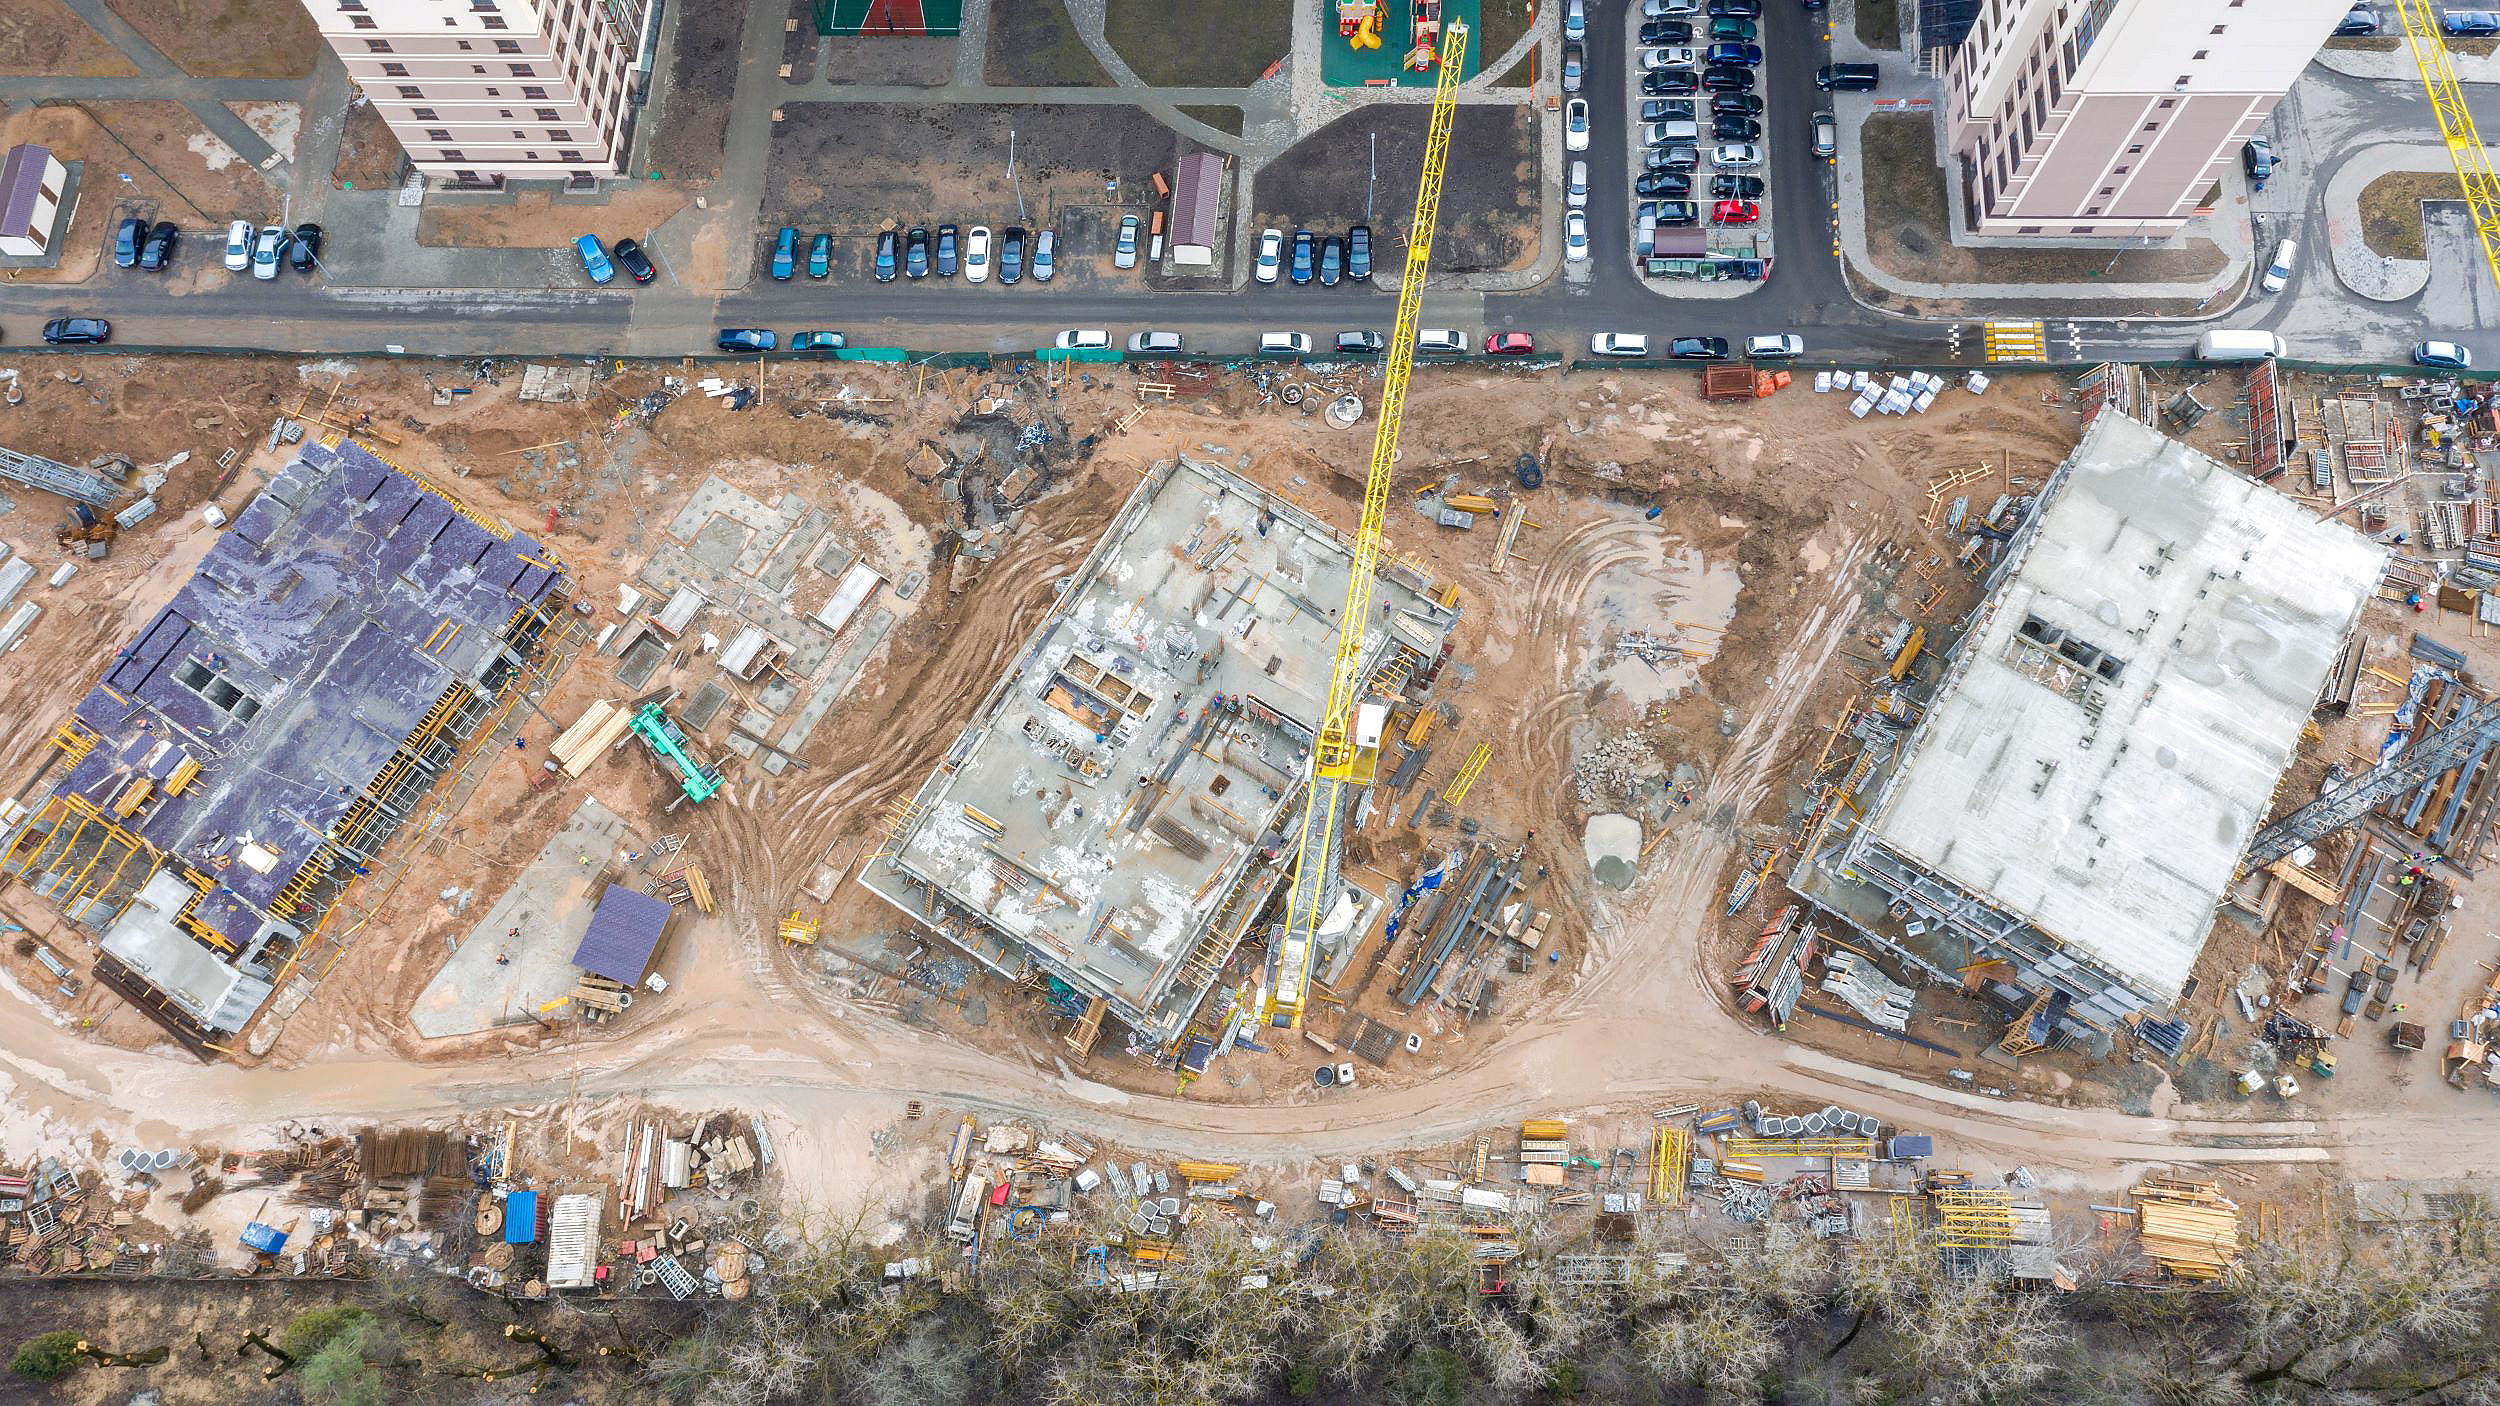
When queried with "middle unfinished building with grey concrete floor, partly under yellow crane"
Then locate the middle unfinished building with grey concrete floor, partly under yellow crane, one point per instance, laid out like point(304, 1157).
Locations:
point(1116, 817)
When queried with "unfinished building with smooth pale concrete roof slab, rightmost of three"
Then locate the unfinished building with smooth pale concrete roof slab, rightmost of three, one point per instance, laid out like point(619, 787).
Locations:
point(2056, 822)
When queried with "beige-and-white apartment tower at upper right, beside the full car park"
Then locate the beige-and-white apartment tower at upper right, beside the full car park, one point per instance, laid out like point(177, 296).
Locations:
point(2116, 116)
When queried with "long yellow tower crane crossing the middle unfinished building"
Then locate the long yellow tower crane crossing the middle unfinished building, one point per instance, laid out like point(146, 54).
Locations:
point(1346, 752)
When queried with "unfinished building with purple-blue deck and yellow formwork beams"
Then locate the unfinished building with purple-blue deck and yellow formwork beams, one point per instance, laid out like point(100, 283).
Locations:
point(249, 754)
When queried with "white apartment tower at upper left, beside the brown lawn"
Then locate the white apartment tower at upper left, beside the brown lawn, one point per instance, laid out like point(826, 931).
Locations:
point(486, 91)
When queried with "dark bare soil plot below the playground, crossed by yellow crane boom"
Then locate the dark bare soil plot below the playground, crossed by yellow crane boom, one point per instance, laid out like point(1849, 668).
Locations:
point(1489, 206)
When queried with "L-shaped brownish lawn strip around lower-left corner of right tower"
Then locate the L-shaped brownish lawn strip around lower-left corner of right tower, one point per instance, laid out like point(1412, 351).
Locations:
point(1911, 231)
